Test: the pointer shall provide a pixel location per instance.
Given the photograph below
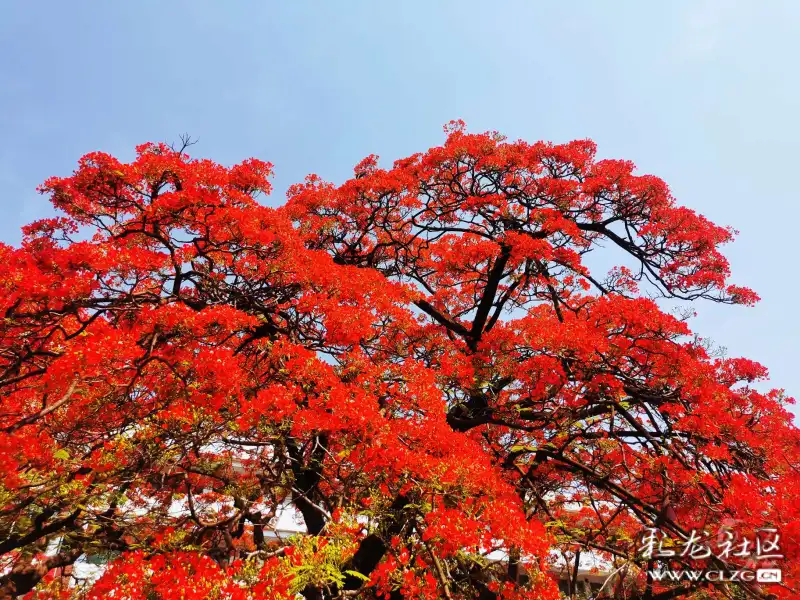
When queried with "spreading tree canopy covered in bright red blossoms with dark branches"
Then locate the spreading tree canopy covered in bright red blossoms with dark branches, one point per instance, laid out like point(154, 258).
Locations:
point(428, 363)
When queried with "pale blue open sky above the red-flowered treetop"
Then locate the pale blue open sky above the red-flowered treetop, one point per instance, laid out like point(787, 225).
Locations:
point(704, 93)
